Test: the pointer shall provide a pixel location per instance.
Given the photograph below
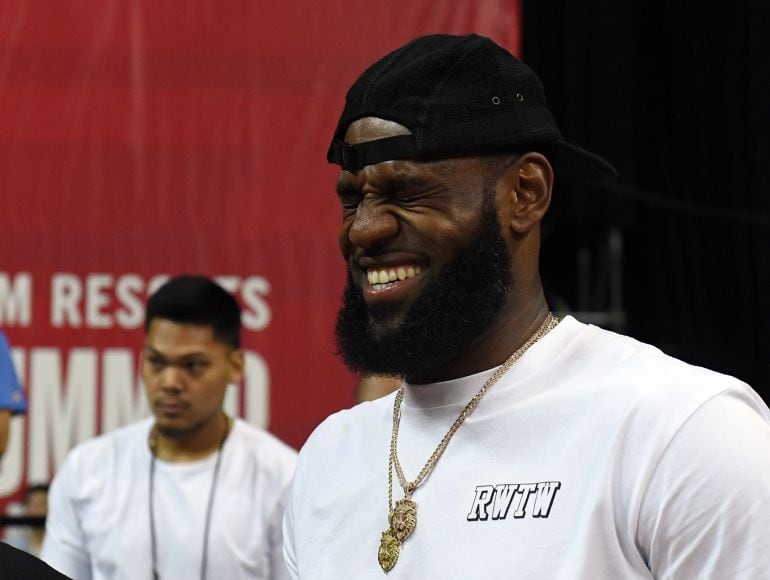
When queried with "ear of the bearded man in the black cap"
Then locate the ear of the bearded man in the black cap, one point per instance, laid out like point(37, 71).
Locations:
point(525, 188)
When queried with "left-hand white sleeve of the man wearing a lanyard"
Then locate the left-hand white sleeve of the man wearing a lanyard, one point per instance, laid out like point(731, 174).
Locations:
point(64, 546)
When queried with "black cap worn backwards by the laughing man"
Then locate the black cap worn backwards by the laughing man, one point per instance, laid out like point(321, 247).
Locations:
point(457, 95)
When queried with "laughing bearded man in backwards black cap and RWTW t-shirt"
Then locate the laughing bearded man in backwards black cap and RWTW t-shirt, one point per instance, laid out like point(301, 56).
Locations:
point(518, 446)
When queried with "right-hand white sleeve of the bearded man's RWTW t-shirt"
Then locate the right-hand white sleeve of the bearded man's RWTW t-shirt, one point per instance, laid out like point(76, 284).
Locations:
point(706, 512)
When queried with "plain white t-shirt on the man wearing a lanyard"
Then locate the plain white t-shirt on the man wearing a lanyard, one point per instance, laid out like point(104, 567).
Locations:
point(98, 522)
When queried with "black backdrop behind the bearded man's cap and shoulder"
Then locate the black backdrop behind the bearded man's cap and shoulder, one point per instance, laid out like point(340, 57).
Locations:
point(678, 99)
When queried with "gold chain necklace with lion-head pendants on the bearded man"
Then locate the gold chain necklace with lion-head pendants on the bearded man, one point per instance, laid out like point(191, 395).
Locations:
point(402, 518)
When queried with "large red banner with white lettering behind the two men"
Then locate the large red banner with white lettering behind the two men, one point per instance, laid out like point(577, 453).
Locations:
point(144, 139)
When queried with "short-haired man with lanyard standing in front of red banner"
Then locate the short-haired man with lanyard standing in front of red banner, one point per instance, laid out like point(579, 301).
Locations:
point(190, 492)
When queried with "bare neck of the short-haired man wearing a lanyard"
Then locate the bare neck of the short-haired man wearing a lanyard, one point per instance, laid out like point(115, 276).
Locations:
point(190, 446)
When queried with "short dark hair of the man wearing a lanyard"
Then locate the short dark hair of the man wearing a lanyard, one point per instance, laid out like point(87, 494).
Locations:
point(197, 300)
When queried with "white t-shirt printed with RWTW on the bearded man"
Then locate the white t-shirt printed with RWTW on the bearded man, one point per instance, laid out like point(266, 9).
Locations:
point(595, 457)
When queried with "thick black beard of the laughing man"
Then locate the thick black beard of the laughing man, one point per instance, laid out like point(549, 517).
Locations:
point(452, 311)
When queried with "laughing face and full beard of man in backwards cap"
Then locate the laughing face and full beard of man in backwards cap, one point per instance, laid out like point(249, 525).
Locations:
point(398, 326)
